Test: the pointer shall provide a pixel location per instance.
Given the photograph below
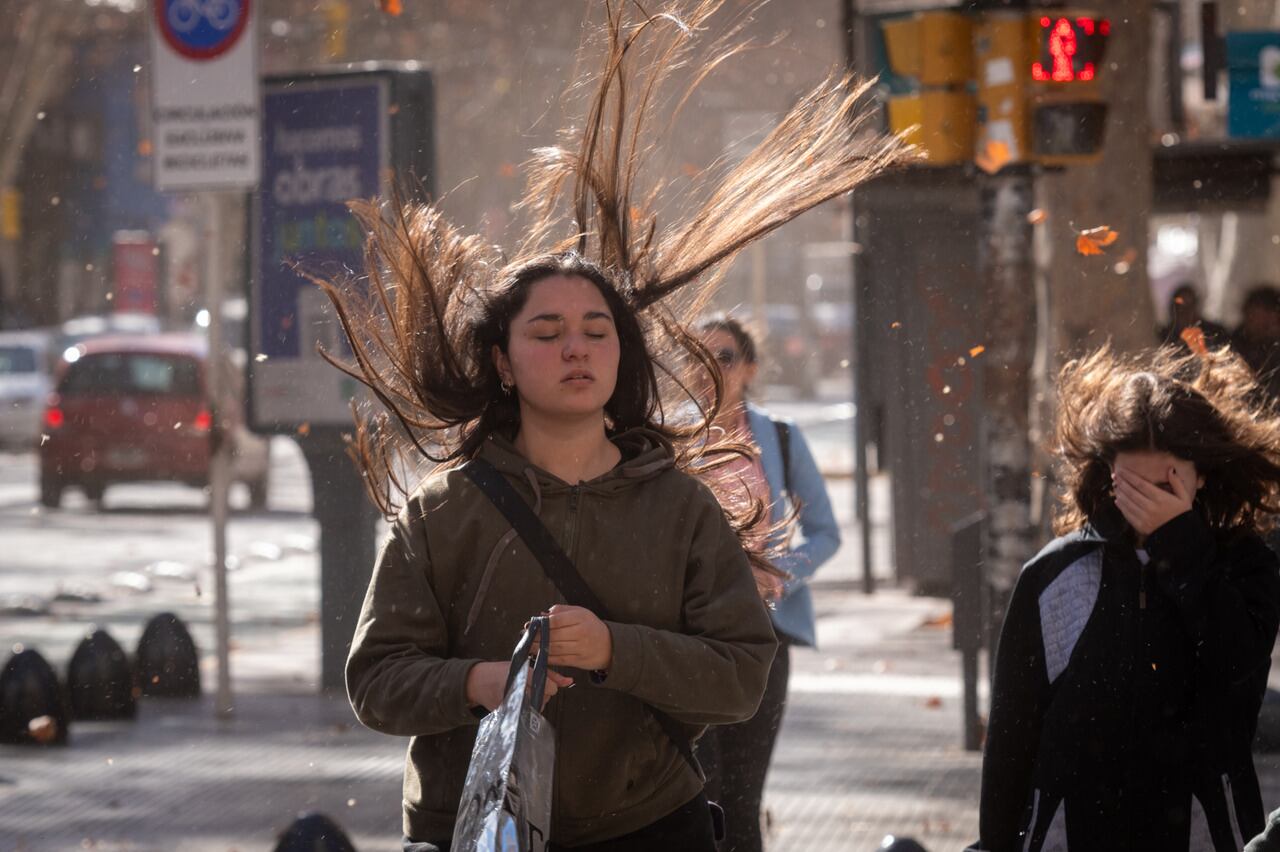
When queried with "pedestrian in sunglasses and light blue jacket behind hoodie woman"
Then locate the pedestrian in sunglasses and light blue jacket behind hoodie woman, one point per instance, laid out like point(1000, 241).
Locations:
point(781, 473)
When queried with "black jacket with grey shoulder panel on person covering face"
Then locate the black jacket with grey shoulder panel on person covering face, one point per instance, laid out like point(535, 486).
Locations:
point(1127, 693)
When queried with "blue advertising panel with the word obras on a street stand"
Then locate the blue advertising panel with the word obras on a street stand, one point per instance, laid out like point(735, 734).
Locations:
point(324, 143)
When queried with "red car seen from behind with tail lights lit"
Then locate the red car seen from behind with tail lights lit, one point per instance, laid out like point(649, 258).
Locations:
point(136, 409)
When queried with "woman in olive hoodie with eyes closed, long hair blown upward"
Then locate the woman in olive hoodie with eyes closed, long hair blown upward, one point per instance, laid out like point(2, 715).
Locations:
point(557, 368)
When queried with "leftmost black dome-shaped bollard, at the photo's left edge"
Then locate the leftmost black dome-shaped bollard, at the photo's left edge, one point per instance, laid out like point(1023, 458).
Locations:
point(33, 707)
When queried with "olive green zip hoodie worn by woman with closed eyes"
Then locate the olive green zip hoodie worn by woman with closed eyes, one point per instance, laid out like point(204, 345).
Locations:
point(455, 585)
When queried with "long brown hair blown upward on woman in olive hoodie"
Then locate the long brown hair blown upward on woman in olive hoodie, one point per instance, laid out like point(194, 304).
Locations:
point(423, 326)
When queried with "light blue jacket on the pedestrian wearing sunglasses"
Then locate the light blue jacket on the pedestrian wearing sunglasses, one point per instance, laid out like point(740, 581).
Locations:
point(821, 534)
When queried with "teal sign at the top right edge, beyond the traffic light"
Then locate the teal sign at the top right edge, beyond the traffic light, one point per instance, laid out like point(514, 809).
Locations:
point(1254, 66)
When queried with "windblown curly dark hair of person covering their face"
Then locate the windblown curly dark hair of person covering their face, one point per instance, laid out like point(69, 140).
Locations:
point(1201, 407)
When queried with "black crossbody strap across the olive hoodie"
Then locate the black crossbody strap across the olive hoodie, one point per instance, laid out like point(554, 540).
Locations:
point(560, 569)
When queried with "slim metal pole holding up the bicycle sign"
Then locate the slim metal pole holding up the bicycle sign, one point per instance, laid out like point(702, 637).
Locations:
point(220, 462)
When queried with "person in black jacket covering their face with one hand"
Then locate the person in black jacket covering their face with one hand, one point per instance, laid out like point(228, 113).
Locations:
point(1136, 649)
